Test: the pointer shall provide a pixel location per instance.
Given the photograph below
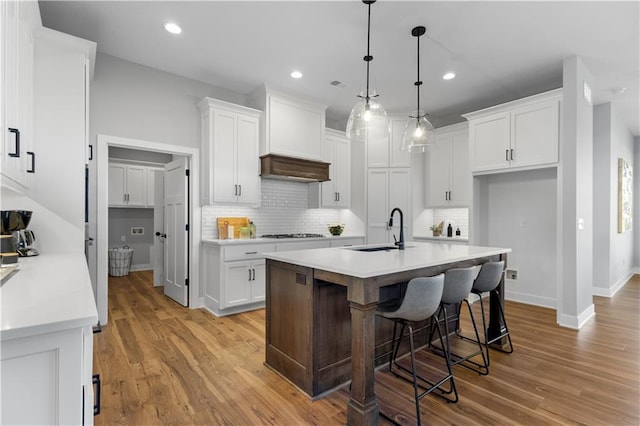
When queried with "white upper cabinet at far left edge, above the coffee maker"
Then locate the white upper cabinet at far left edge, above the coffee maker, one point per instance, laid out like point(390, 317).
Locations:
point(19, 20)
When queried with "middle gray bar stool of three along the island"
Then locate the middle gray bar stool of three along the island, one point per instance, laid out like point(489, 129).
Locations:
point(458, 283)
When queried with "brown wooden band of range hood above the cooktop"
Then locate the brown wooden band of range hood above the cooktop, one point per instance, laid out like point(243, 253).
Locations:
point(288, 168)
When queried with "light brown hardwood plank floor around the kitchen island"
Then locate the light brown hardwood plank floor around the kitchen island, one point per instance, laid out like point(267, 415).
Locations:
point(163, 364)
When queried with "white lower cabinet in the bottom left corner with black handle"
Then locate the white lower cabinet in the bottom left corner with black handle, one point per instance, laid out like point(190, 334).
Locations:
point(46, 379)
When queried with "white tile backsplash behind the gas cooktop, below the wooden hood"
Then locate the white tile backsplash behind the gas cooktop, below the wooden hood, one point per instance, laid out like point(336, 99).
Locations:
point(283, 209)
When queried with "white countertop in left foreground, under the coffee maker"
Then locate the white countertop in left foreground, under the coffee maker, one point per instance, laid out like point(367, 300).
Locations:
point(48, 293)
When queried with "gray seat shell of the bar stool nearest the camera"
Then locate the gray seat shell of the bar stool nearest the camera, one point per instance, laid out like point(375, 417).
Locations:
point(421, 299)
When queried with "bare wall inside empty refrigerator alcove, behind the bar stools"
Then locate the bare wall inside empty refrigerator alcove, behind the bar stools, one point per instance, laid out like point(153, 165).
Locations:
point(518, 210)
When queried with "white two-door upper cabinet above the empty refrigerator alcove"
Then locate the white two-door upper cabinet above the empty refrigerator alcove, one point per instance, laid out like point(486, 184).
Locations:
point(522, 134)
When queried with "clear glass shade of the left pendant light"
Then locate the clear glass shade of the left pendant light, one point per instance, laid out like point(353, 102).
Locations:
point(367, 120)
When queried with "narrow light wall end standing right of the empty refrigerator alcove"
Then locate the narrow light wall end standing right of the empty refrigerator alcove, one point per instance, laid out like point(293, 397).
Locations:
point(575, 198)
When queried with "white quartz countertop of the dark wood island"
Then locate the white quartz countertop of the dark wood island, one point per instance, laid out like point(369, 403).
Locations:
point(348, 261)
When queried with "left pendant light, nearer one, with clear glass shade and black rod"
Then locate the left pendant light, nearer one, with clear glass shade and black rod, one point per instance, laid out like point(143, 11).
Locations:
point(368, 118)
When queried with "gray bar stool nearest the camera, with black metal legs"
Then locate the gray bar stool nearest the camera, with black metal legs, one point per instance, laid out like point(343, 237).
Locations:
point(419, 303)
